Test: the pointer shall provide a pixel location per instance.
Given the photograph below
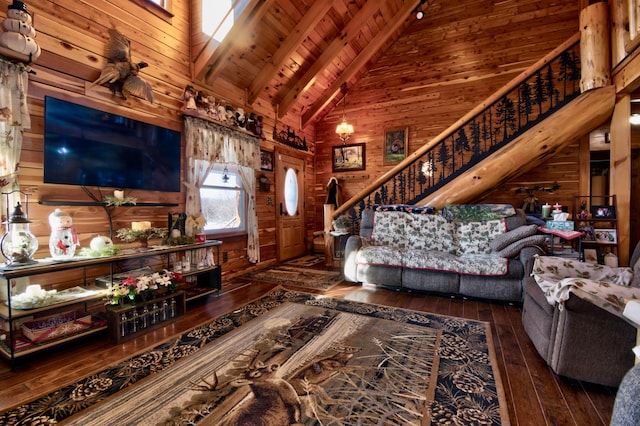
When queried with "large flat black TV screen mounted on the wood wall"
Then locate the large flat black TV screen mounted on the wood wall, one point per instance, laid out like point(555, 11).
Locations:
point(88, 147)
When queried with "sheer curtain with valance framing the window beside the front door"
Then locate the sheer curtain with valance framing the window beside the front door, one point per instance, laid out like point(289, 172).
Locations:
point(208, 143)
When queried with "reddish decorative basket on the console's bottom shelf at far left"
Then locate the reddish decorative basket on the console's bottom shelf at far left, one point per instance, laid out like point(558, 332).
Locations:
point(56, 327)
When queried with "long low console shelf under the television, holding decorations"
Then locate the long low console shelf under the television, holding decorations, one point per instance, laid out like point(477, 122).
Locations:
point(75, 314)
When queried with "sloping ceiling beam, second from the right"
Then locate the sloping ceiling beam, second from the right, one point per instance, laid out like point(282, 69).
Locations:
point(349, 32)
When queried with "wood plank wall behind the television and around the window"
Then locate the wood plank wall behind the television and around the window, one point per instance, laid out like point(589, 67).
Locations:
point(72, 35)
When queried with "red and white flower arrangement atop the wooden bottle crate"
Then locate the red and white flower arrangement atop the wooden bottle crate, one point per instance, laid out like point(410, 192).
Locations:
point(144, 287)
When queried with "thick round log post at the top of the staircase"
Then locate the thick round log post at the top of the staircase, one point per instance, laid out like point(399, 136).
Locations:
point(594, 47)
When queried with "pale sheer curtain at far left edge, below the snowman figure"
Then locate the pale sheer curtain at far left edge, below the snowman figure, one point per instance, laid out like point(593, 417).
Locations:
point(14, 117)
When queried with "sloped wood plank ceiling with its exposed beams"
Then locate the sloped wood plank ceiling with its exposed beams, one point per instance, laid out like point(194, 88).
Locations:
point(300, 54)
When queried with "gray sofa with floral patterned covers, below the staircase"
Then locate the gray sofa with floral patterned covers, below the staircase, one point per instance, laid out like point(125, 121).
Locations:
point(482, 251)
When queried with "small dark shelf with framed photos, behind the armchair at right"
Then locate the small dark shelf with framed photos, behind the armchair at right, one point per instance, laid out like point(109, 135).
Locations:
point(595, 216)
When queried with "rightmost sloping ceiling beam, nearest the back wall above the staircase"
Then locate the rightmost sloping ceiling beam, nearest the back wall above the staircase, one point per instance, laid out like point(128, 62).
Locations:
point(361, 60)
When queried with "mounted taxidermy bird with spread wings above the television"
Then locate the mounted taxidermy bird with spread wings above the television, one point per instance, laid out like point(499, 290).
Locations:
point(121, 73)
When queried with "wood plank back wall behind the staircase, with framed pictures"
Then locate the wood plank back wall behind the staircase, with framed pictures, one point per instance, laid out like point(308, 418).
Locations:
point(439, 69)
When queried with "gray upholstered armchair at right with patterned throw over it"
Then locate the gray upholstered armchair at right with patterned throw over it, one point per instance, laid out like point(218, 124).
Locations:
point(572, 312)
